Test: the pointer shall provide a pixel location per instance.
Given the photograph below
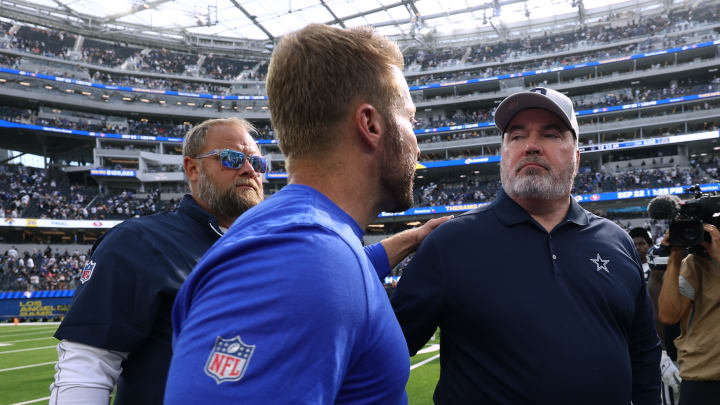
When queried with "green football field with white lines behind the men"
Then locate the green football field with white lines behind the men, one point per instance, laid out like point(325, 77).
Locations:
point(28, 356)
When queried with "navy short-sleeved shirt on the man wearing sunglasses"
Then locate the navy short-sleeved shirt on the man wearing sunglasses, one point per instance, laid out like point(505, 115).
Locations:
point(126, 302)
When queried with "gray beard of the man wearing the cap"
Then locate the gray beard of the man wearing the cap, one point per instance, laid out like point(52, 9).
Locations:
point(541, 186)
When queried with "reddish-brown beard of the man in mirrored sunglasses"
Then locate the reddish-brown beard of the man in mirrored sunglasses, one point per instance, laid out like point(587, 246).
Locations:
point(225, 202)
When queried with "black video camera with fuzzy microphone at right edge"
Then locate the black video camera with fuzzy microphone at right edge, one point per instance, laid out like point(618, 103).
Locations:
point(687, 216)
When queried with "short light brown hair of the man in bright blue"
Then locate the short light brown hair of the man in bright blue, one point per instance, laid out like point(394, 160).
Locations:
point(316, 75)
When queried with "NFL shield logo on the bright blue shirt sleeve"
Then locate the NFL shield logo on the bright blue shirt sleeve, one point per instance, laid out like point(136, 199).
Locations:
point(229, 359)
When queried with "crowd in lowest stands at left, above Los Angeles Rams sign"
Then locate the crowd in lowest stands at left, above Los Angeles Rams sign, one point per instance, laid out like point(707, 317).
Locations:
point(40, 270)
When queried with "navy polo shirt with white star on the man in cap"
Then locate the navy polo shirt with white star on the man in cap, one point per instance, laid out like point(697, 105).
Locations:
point(528, 316)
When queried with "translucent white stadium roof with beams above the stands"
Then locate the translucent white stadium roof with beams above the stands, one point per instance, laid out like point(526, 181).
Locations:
point(270, 19)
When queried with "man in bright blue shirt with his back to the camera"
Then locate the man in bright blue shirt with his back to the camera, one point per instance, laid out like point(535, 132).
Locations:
point(286, 308)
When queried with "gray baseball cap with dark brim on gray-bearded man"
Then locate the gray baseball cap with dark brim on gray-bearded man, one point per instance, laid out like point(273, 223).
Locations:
point(539, 97)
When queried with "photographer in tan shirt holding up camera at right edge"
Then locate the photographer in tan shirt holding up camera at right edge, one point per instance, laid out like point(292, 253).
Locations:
point(691, 295)
